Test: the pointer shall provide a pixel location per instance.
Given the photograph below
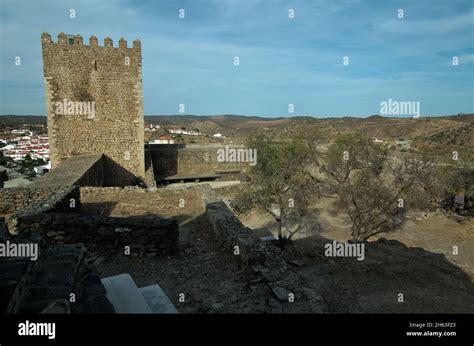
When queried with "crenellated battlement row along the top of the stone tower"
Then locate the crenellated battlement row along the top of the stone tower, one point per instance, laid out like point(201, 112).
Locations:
point(77, 40)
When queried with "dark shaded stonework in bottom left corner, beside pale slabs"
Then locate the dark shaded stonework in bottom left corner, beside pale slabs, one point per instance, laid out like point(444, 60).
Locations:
point(49, 284)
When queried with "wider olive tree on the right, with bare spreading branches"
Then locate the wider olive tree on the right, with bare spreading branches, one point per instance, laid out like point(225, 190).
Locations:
point(372, 187)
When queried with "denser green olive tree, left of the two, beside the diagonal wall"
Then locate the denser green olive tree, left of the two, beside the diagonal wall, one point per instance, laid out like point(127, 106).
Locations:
point(279, 183)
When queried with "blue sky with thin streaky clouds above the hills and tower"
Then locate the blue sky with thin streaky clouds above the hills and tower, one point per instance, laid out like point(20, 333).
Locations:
point(282, 60)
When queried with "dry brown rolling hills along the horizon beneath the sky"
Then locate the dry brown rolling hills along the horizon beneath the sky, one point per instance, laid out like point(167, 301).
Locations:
point(454, 130)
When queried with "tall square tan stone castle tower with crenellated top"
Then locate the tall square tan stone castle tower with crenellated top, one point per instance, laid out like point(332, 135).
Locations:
point(94, 103)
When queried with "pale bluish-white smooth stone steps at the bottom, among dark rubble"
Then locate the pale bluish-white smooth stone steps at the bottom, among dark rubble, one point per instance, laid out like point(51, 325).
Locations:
point(127, 298)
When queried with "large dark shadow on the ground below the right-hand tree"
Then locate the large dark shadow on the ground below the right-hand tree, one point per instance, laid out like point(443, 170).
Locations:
point(392, 278)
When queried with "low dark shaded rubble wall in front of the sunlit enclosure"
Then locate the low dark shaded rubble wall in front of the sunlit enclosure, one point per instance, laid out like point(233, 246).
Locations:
point(143, 235)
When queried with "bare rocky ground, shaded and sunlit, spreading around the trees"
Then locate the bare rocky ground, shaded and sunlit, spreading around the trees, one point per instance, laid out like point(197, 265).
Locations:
point(415, 272)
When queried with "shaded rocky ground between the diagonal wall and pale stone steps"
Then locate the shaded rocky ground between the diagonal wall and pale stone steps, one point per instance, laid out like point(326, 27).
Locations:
point(210, 279)
